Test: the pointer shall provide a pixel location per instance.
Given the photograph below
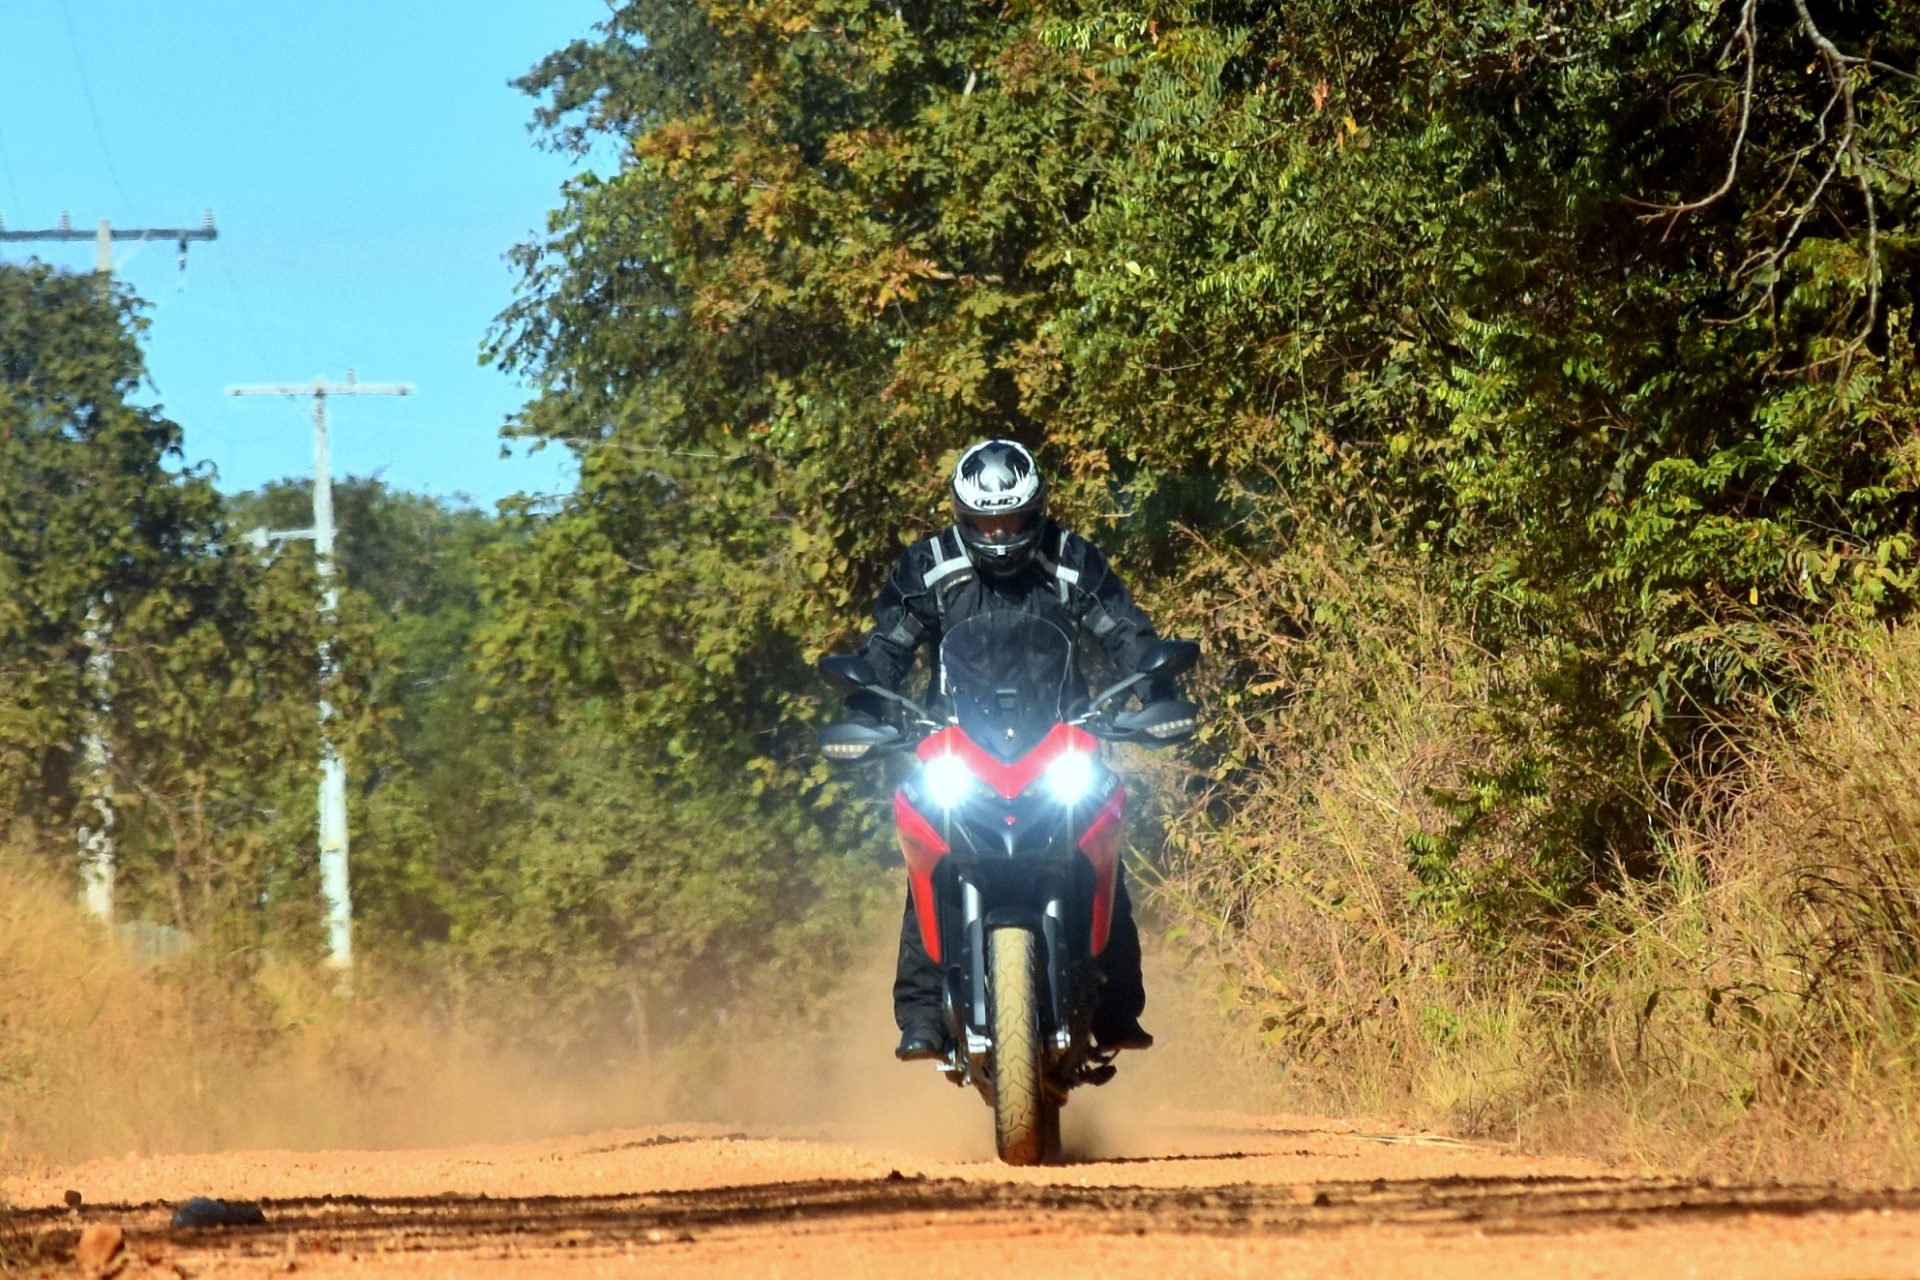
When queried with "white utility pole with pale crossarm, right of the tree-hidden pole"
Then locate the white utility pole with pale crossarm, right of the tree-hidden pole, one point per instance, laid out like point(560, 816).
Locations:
point(335, 884)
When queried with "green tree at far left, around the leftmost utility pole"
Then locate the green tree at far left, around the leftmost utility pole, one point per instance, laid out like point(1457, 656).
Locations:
point(108, 550)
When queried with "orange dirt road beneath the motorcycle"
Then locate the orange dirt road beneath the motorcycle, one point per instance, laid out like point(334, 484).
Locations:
point(1180, 1195)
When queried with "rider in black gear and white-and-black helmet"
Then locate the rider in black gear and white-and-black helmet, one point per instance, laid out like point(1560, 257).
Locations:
point(1005, 554)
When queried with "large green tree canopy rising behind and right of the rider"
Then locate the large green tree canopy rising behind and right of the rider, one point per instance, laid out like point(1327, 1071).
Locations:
point(1604, 321)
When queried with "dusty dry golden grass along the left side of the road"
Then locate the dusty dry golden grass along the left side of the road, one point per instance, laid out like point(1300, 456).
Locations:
point(101, 1055)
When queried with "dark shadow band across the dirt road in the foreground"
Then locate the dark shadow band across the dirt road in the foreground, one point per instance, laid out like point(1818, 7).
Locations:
point(1520, 1206)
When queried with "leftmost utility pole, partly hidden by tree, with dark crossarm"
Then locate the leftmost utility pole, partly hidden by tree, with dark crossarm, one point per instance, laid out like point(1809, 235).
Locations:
point(97, 751)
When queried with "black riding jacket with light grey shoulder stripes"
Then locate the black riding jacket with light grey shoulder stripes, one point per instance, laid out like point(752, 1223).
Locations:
point(936, 588)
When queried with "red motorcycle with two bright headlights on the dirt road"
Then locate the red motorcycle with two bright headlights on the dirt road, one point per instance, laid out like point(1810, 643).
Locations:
point(1013, 830)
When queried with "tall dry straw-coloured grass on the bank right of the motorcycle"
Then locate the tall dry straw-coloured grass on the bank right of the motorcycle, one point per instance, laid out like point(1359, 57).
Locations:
point(1750, 1003)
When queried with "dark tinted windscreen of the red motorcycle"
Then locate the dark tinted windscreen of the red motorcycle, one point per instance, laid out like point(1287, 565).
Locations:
point(1007, 680)
